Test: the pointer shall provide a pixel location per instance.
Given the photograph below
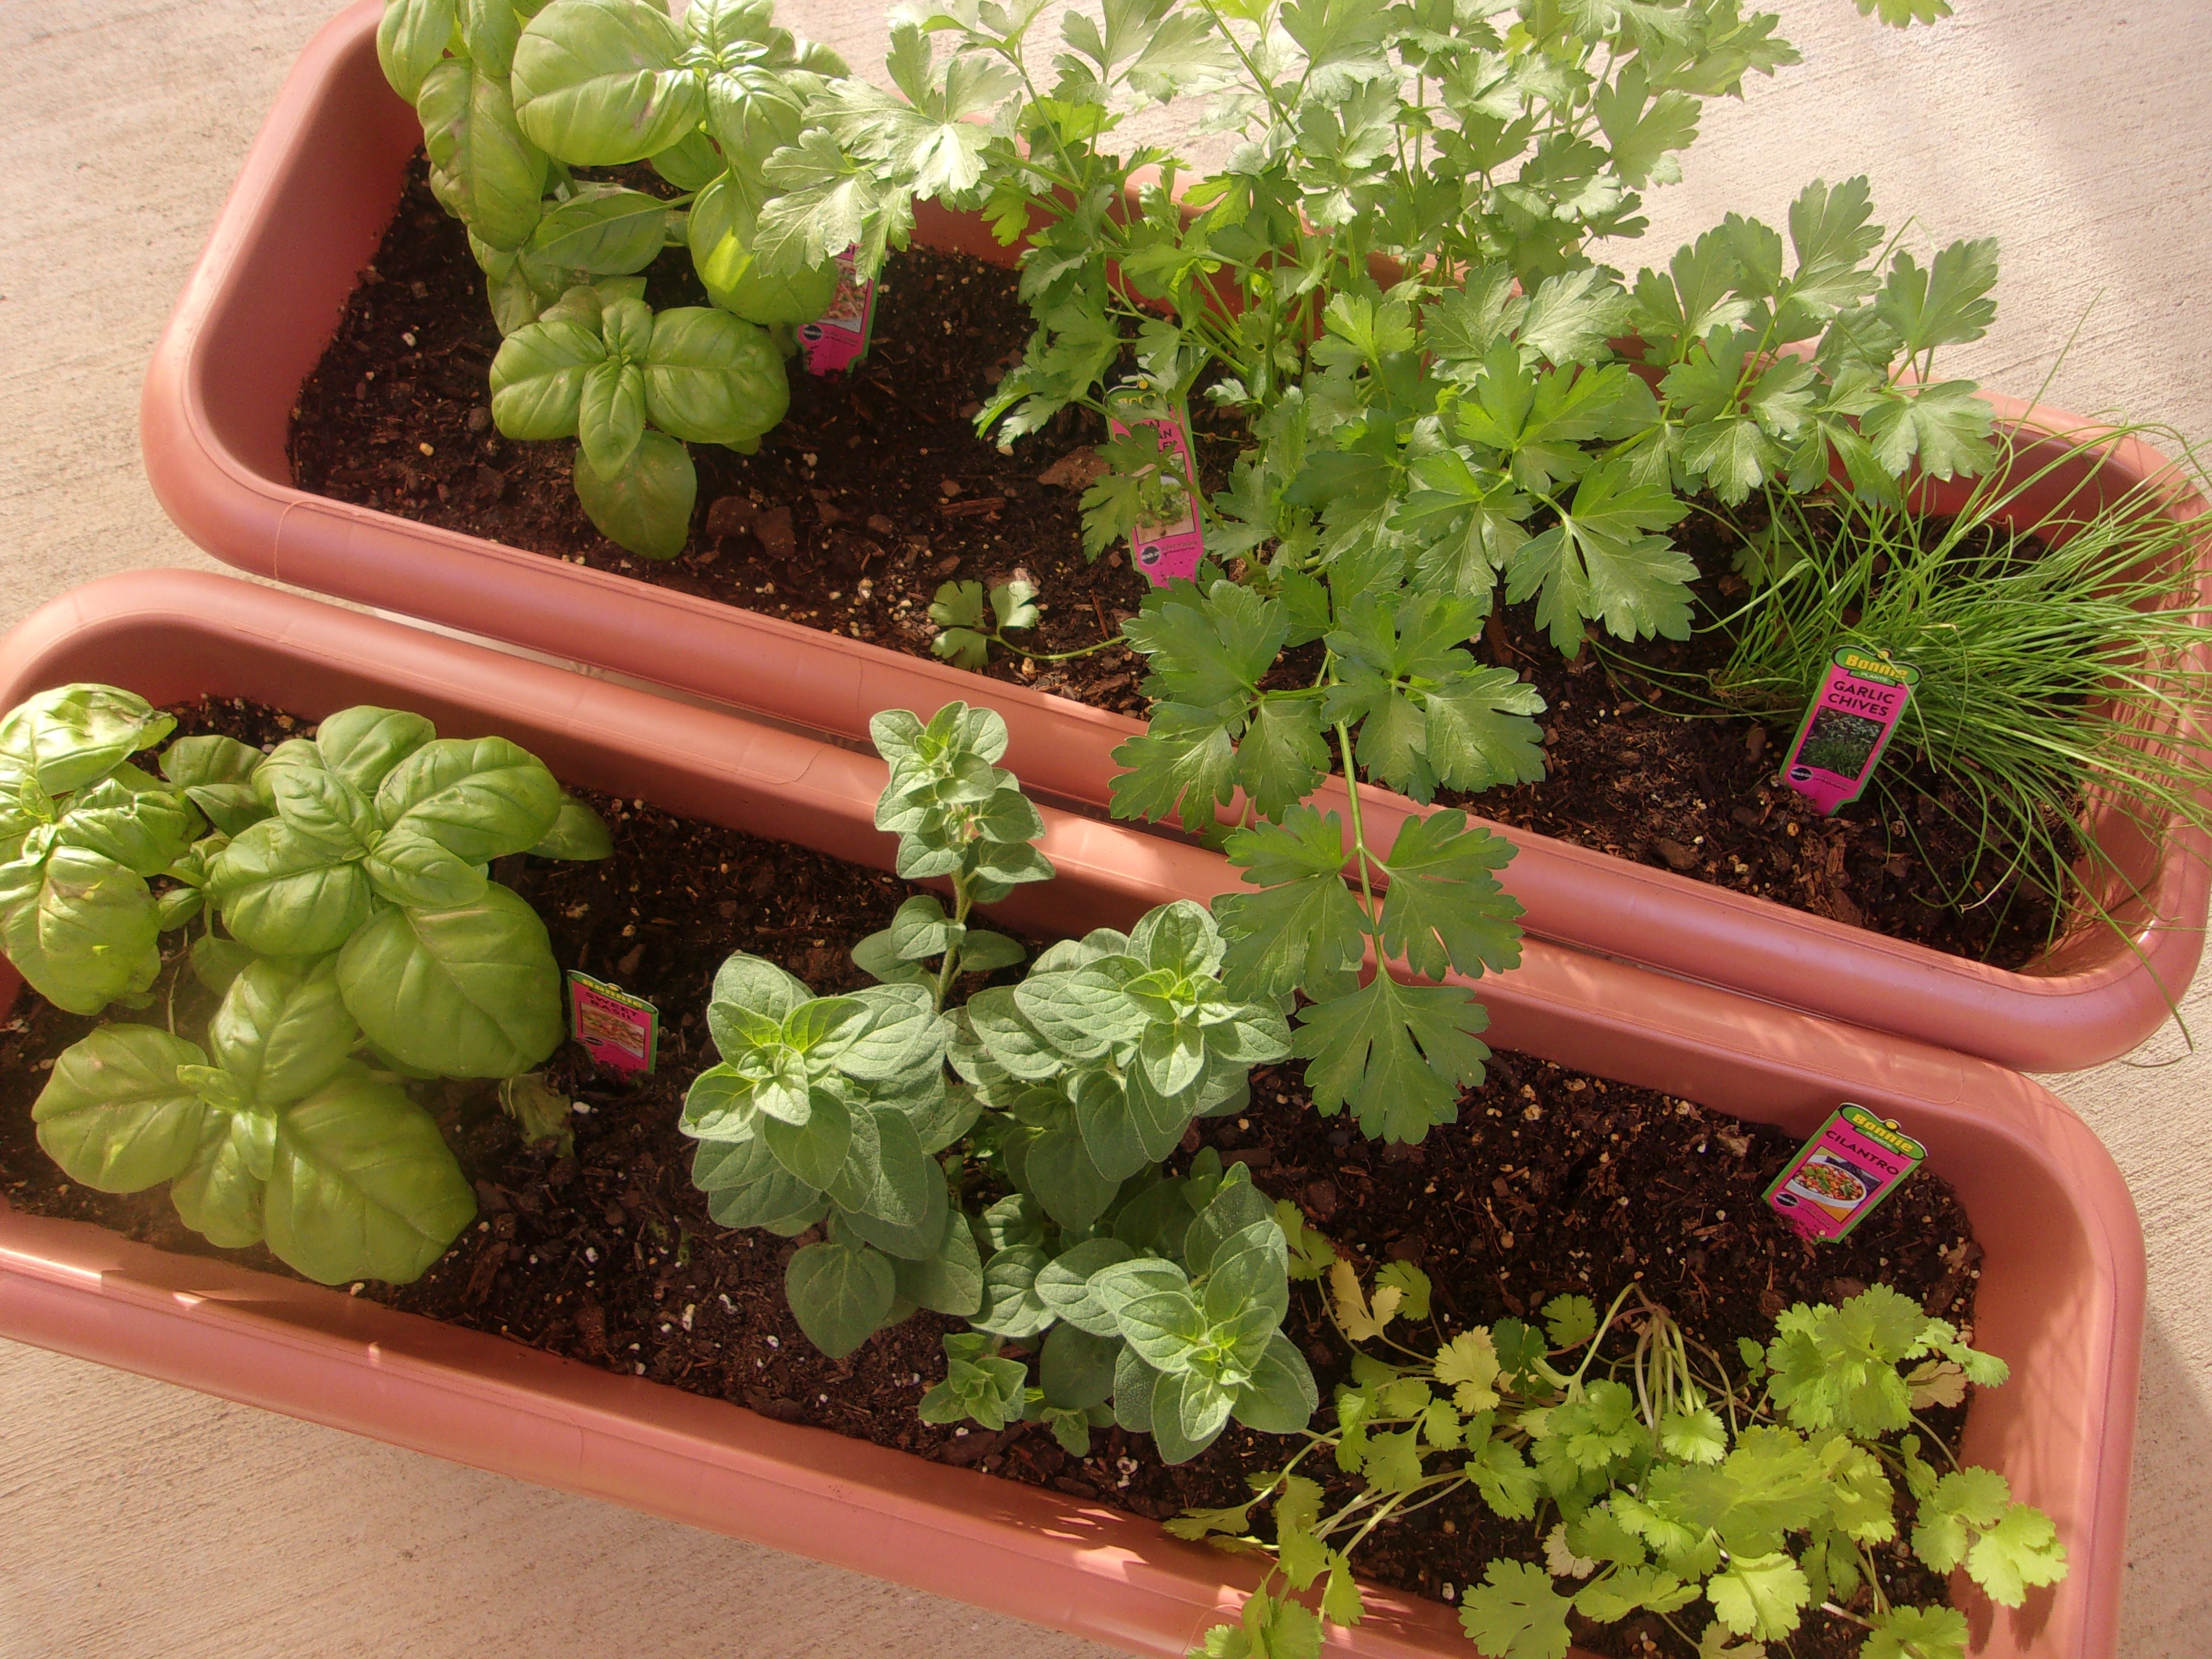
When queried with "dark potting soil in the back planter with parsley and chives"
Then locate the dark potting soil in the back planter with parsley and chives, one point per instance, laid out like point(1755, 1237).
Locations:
point(877, 490)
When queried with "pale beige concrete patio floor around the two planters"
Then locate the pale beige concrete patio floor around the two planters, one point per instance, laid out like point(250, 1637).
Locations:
point(145, 1521)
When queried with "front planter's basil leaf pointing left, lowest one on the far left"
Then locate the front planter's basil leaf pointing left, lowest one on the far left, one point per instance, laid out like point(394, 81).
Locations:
point(114, 1114)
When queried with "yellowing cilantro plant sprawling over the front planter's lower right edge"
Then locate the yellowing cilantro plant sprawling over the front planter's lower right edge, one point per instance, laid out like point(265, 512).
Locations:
point(1762, 1490)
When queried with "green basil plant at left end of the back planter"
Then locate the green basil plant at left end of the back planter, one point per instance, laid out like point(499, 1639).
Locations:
point(514, 101)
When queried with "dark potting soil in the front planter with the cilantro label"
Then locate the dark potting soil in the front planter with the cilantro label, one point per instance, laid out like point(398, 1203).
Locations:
point(1550, 1182)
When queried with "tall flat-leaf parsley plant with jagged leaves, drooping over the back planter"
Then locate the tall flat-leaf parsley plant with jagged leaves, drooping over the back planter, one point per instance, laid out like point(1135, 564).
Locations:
point(1390, 284)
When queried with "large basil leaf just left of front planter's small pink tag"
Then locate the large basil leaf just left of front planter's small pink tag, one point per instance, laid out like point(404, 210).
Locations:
point(468, 992)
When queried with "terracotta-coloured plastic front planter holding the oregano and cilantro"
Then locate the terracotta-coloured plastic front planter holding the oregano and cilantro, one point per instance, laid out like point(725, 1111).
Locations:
point(2063, 1280)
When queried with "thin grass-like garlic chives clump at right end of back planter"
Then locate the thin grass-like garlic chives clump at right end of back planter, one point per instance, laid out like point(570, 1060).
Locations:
point(2049, 671)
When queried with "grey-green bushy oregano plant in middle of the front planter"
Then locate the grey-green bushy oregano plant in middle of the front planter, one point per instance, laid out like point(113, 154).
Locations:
point(839, 1114)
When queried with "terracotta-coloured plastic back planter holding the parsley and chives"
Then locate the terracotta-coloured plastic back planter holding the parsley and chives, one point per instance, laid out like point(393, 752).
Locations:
point(309, 209)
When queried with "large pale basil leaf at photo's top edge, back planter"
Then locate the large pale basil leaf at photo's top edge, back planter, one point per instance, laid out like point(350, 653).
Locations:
point(598, 83)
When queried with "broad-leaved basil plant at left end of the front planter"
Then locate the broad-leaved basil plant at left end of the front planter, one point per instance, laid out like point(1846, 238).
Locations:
point(362, 943)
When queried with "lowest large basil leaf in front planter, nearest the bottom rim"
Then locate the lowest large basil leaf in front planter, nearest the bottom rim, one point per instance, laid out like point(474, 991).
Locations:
point(364, 1187)
